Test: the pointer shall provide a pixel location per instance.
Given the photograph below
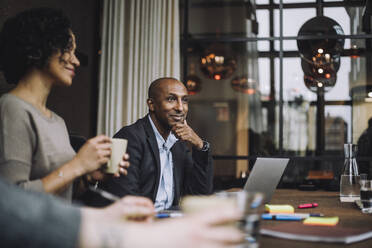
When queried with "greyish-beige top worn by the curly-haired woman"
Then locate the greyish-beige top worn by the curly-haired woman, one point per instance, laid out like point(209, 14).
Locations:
point(31, 144)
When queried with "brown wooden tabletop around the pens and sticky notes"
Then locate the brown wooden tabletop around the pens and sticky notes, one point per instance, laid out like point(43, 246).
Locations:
point(329, 205)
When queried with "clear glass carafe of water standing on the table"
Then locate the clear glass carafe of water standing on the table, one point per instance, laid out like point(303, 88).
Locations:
point(349, 181)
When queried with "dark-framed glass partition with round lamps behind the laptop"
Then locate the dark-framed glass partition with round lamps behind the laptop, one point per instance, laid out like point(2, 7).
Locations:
point(255, 93)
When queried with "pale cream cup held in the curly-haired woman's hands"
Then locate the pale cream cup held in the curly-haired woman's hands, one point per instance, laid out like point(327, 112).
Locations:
point(118, 149)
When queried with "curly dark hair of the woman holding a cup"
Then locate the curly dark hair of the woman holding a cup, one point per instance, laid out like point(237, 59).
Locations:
point(29, 39)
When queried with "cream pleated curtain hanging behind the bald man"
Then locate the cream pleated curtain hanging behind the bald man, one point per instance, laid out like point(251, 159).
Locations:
point(140, 43)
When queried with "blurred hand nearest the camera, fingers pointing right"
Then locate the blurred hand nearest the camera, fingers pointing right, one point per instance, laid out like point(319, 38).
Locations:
point(211, 229)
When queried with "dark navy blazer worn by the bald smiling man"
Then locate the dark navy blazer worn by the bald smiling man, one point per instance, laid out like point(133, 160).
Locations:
point(192, 171)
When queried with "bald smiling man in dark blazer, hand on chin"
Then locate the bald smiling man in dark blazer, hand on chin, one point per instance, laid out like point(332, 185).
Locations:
point(162, 166)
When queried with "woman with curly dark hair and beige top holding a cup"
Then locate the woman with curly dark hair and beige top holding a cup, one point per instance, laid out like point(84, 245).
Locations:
point(37, 52)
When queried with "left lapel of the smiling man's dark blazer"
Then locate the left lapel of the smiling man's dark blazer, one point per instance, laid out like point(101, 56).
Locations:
point(151, 139)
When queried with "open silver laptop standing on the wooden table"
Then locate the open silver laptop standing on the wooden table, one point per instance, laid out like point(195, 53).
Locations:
point(265, 176)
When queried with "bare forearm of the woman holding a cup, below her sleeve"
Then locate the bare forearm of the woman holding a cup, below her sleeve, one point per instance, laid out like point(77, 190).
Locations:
point(62, 177)
